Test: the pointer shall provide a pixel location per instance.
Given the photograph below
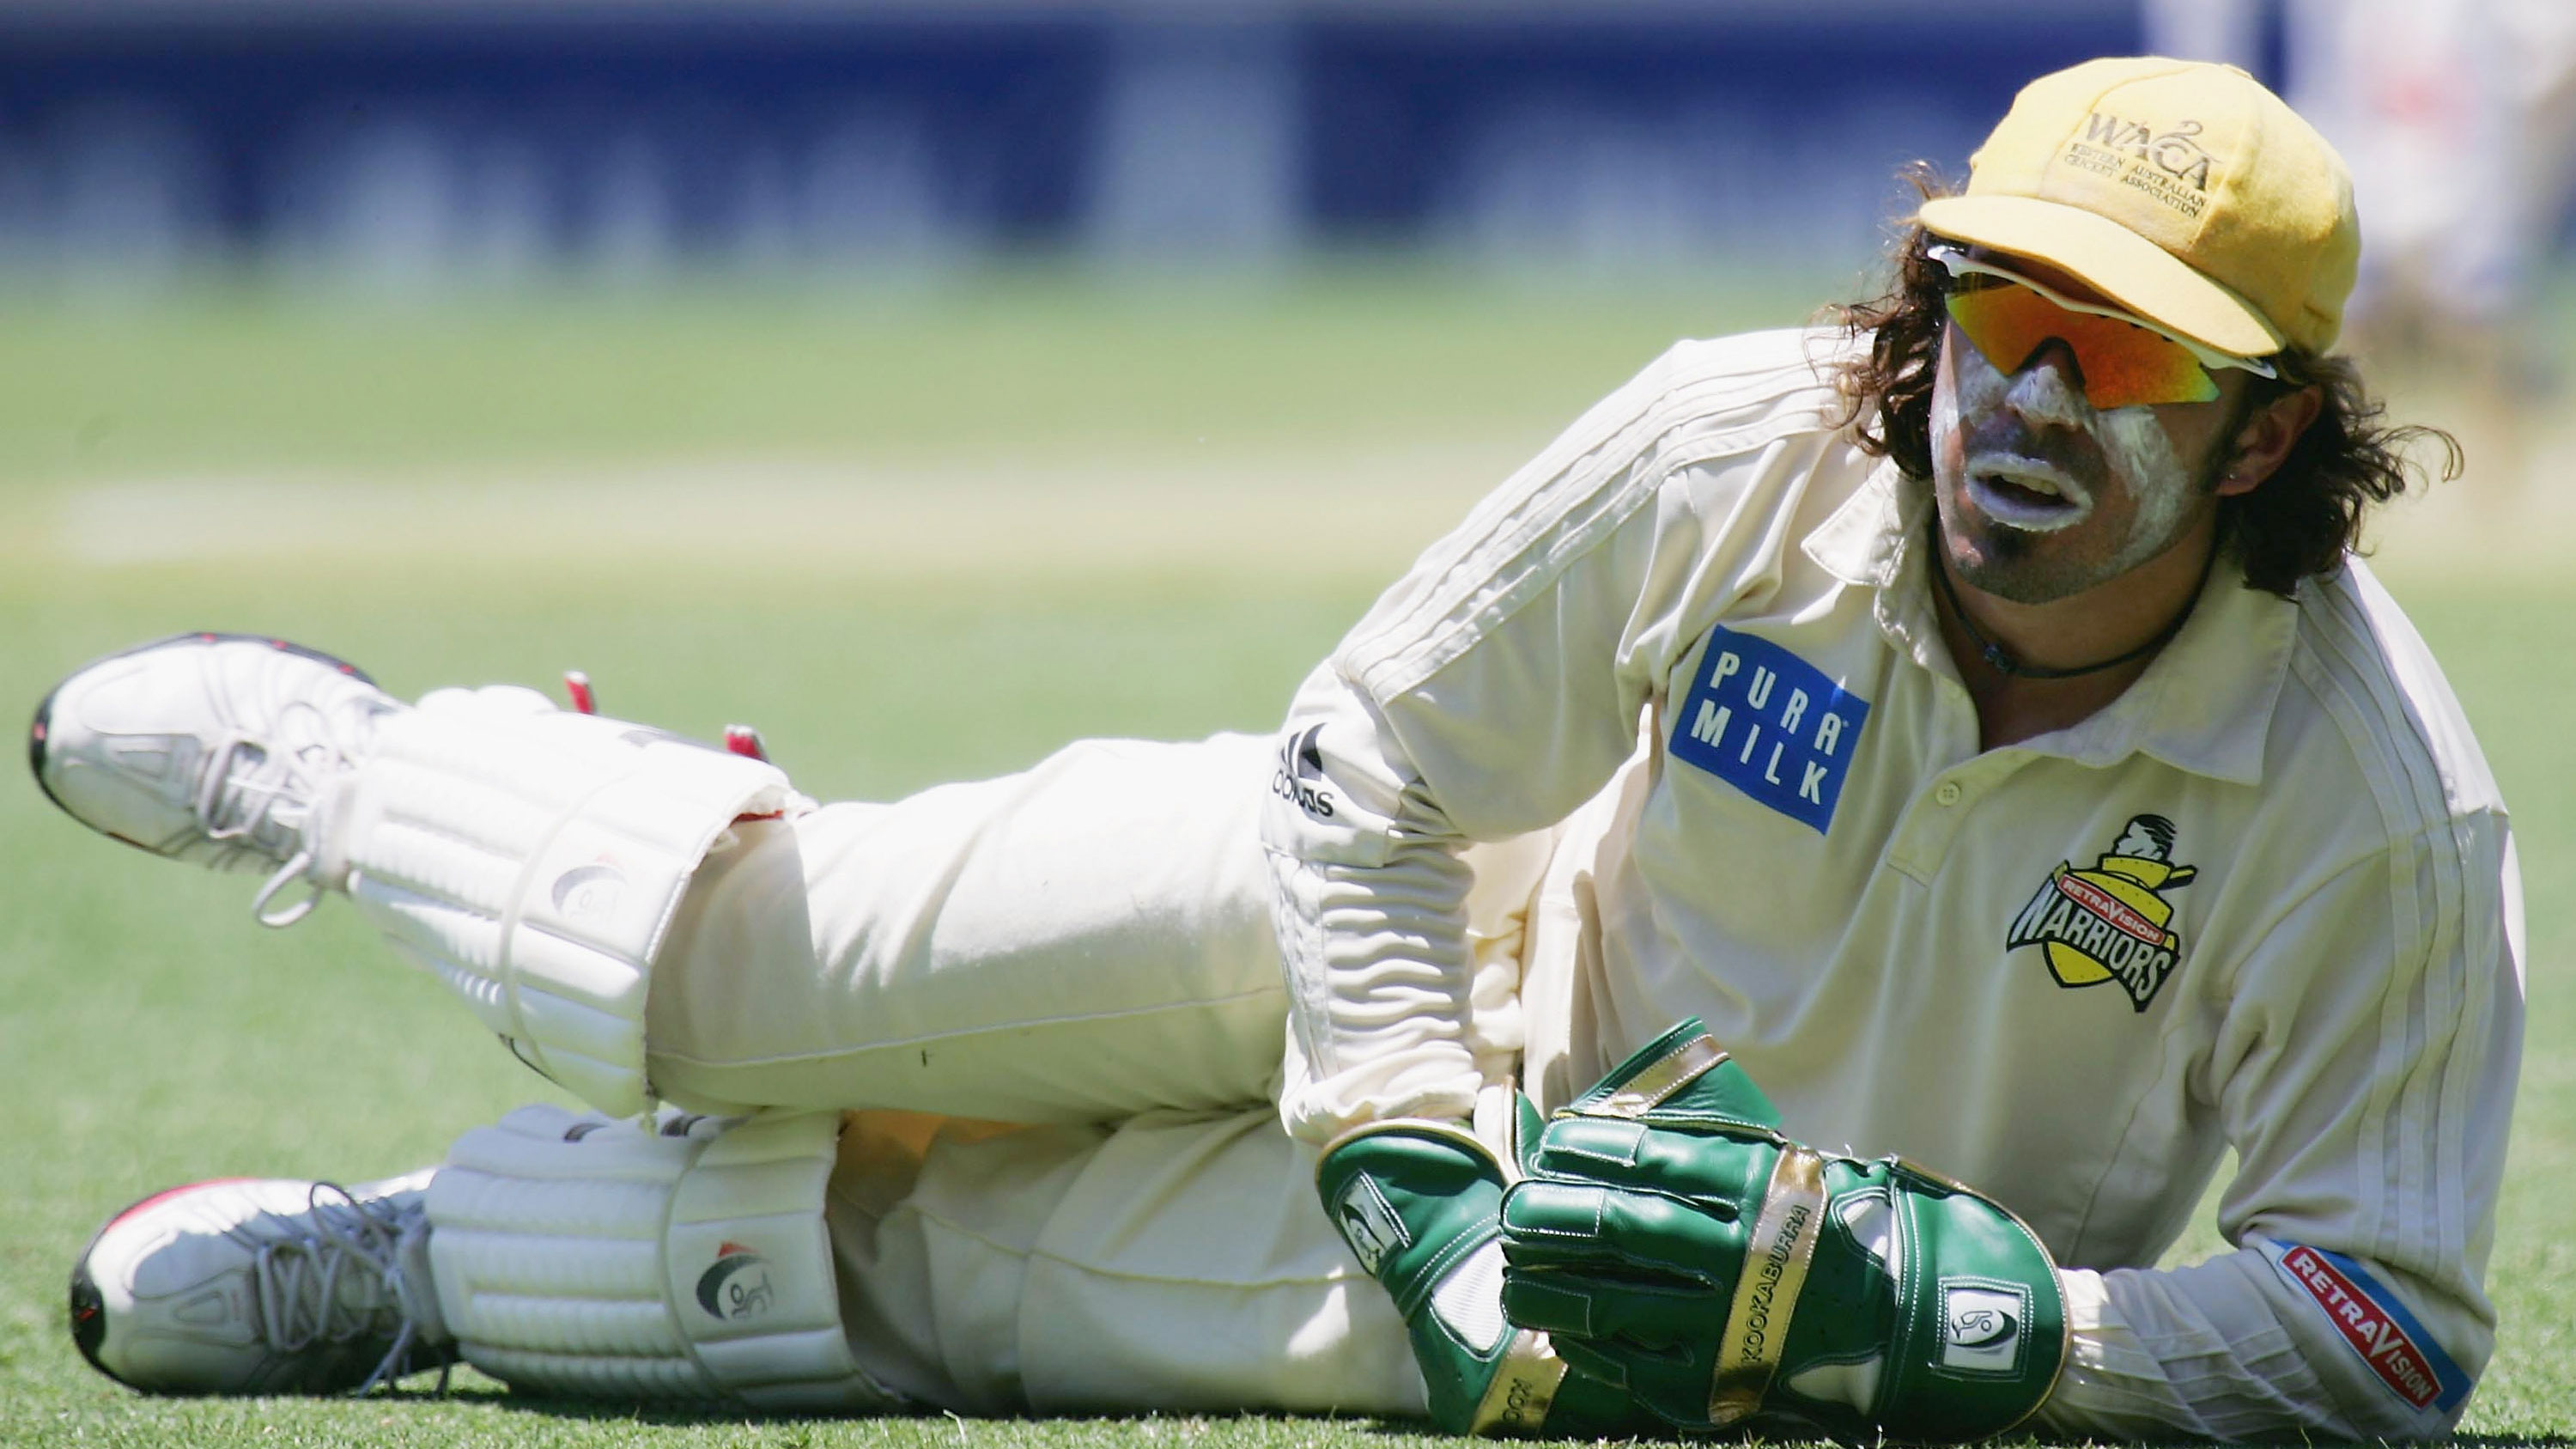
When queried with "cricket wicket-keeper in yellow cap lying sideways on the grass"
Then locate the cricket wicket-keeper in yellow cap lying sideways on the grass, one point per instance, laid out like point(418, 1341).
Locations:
point(1975, 718)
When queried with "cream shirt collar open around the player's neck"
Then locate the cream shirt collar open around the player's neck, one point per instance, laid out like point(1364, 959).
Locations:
point(2204, 705)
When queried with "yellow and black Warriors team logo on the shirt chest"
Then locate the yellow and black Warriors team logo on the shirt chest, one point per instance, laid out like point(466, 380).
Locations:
point(2108, 924)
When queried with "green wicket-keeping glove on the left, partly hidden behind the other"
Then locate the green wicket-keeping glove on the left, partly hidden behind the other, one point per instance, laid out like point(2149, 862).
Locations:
point(1421, 1208)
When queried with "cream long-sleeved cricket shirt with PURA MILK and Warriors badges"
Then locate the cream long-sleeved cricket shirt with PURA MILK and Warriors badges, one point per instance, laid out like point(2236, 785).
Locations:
point(2263, 901)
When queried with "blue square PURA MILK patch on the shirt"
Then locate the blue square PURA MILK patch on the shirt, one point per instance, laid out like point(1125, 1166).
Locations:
point(1771, 726)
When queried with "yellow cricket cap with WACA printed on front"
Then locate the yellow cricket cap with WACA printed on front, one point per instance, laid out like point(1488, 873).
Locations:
point(2183, 192)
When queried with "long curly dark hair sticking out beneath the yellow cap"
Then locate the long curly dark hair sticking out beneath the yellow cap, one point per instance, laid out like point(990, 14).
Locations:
point(2299, 525)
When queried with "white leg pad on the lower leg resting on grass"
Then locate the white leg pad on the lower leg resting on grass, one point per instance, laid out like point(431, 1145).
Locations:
point(674, 1262)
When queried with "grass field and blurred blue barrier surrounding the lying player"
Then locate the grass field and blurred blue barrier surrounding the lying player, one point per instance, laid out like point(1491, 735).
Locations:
point(936, 380)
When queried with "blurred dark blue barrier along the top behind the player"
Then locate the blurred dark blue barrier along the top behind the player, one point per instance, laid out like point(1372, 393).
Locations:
point(411, 141)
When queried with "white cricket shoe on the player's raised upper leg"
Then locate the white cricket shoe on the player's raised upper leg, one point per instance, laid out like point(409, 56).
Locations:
point(207, 749)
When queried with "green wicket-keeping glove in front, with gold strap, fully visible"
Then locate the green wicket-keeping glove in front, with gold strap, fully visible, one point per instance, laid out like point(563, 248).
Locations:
point(1673, 1241)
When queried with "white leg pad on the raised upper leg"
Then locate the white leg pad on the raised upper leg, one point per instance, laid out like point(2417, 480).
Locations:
point(535, 860)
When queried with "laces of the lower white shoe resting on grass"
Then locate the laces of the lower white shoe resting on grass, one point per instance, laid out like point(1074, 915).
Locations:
point(303, 1275)
